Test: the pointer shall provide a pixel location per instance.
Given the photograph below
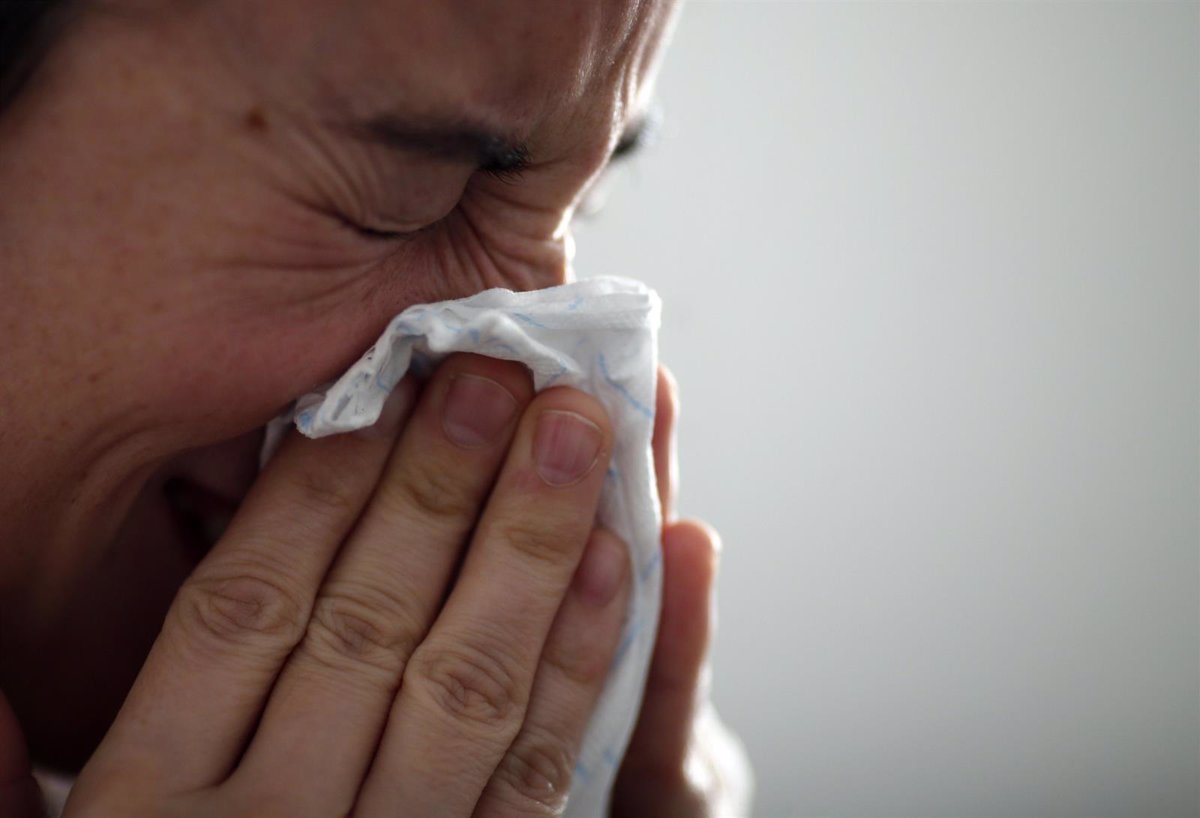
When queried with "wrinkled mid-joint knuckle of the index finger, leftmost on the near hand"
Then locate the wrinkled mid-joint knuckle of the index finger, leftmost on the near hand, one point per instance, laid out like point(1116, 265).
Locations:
point(241, 610)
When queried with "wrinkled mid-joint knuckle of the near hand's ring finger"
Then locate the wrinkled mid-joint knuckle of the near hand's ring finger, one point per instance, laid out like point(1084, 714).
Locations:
point(470, 685)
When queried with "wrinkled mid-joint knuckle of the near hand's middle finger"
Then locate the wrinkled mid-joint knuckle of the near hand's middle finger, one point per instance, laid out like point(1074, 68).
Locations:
point(363, 628)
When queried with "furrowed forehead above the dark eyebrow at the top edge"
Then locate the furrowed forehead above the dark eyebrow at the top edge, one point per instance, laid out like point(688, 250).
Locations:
point(518, 61)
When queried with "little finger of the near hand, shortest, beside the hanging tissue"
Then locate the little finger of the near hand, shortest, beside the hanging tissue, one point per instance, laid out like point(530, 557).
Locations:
point(537, 772)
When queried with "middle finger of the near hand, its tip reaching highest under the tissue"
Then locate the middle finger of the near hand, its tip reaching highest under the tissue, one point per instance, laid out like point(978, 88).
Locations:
point(329, 707)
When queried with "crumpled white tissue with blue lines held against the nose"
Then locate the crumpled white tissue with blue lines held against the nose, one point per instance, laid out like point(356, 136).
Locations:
point(601, 336)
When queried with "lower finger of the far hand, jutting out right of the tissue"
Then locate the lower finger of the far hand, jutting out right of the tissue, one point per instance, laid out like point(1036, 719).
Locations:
point(659, 744)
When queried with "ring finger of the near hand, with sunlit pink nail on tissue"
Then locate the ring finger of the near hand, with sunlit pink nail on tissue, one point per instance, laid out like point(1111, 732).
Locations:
point(465, 691)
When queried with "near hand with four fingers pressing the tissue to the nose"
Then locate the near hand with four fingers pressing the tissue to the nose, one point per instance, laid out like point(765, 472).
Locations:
point(331, 657)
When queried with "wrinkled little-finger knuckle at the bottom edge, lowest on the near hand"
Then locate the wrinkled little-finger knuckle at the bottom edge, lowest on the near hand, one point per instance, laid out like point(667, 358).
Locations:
point(536, 775)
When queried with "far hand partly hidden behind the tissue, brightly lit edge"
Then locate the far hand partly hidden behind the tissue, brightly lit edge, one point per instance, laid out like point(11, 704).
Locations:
point(682, 761)
